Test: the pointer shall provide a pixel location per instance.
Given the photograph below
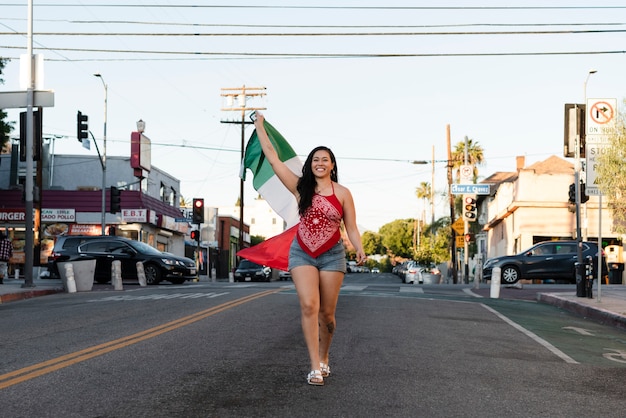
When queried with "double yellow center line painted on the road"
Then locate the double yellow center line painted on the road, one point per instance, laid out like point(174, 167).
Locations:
point(39, 369)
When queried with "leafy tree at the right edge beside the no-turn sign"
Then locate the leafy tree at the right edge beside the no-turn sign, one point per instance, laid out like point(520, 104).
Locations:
point(611, 175)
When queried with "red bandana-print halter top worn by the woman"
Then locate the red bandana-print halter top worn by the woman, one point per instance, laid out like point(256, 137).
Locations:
point(318, 230)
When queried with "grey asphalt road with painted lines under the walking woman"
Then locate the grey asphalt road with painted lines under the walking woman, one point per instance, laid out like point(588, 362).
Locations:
point(236, 350)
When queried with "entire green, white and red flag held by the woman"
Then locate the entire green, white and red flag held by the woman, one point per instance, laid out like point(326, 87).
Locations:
point(273, 252)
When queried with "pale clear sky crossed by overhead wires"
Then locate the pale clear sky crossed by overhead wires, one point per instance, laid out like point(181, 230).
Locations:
point(494, 71)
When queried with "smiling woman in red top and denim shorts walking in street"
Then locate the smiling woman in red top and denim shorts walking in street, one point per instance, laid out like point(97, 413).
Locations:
point(317, 259)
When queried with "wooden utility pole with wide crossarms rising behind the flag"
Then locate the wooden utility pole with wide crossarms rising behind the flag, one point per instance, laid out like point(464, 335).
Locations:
point(236, 101)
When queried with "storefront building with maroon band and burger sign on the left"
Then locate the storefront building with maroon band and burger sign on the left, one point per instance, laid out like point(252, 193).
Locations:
point(68, 200)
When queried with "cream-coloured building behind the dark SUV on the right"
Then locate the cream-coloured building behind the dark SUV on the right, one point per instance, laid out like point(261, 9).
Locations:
point(531, 205)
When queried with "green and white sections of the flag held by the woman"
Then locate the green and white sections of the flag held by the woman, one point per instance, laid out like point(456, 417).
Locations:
point(265, 180)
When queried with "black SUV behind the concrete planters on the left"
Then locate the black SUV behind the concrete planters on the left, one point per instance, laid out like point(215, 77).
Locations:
point(157, 265)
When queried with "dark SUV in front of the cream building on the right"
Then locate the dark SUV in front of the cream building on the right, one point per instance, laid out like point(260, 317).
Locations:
point(548, 260)
